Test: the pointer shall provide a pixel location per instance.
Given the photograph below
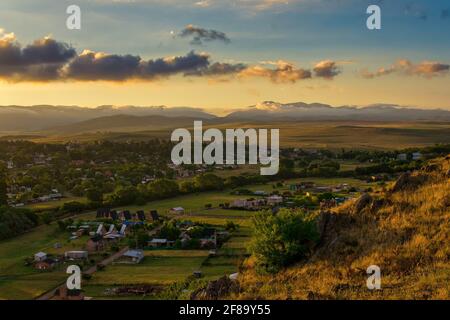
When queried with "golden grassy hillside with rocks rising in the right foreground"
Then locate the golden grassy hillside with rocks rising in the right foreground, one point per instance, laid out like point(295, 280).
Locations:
point(404, 230)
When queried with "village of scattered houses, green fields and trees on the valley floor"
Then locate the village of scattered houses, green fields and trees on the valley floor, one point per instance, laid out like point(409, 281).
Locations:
point(138, 229)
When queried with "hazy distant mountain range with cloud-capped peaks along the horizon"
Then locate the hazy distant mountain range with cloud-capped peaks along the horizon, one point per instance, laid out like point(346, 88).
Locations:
point(73, 119)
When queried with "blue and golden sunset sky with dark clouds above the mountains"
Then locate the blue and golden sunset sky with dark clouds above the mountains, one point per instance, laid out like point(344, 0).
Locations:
point(220, 55)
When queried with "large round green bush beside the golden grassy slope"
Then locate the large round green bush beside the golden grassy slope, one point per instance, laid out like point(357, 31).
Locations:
point(281, 239)
